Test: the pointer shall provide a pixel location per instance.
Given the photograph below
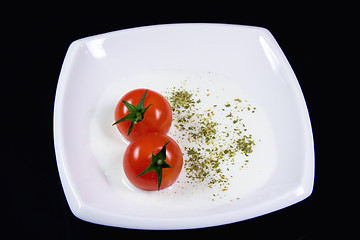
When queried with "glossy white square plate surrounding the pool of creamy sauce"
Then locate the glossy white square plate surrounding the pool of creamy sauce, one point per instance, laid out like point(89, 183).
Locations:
point(249, 57)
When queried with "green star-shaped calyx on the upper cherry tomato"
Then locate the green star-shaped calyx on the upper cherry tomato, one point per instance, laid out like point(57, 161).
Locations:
point(136, 114)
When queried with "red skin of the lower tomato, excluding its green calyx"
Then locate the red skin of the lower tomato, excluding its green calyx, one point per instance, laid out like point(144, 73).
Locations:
point(137, 158)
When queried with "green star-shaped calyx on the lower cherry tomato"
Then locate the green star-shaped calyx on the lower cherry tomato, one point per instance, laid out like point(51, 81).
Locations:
point(157, 164)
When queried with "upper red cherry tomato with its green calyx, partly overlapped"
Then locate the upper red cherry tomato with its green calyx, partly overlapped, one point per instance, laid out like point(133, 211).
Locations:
point(155, 117)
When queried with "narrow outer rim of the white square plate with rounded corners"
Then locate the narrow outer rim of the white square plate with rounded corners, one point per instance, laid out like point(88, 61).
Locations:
point(85, 212)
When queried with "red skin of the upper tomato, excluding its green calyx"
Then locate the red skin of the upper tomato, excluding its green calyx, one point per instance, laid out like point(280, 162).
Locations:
point(157, 118)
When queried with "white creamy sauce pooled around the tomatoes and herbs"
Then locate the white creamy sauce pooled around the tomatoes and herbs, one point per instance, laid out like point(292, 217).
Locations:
point(108, 146)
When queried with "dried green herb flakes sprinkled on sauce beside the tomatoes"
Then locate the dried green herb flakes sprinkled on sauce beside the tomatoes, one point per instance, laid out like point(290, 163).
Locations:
point(210, 147)
